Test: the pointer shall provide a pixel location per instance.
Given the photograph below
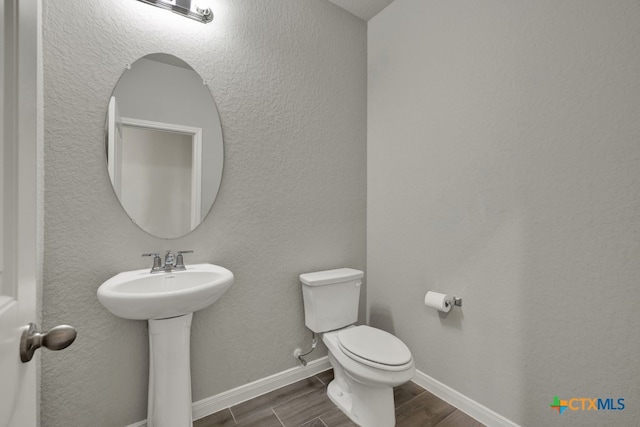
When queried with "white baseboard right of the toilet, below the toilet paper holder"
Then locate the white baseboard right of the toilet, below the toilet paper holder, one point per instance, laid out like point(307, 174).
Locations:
point(462, 402)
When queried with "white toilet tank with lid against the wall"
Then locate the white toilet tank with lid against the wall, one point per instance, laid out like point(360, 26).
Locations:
point(331, 298)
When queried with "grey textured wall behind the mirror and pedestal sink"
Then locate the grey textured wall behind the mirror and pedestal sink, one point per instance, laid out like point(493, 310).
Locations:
point(289, 79)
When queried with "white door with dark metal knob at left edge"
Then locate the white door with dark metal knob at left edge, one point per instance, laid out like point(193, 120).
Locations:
point(18, 256)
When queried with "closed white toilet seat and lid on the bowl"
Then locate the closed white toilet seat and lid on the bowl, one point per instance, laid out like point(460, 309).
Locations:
point(374, 347)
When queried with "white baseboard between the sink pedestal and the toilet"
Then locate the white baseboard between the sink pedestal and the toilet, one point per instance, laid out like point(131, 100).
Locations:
point(213, 404)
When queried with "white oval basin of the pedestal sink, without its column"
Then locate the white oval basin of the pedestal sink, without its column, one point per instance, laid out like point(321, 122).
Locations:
point(141, 295)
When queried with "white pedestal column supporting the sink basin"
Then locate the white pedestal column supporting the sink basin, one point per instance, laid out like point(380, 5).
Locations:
point(170, 372)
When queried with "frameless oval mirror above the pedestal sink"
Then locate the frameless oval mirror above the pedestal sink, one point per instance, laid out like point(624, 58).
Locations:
point(164, 145)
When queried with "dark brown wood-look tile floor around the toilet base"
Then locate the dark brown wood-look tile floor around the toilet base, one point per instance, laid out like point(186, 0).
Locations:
point(305, 404)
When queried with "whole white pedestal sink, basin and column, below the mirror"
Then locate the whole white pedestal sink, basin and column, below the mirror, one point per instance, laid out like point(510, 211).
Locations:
point(168, 301)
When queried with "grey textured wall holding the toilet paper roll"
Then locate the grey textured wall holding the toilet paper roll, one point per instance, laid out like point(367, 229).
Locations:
point(503, 166)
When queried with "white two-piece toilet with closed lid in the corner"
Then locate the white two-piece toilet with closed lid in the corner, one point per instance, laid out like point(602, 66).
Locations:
point(367, 362)
